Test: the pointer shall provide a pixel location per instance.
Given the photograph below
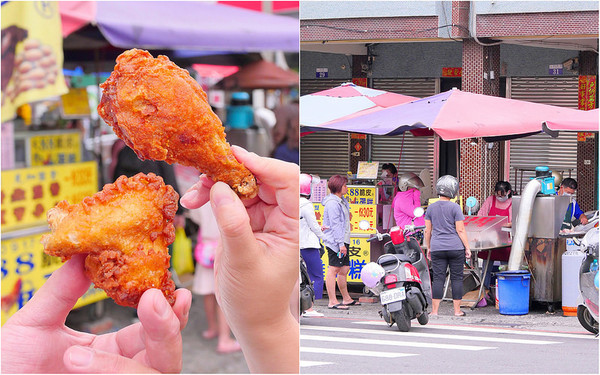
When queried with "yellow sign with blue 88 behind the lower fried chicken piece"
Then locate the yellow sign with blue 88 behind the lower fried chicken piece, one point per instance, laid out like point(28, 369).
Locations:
point(25, 268)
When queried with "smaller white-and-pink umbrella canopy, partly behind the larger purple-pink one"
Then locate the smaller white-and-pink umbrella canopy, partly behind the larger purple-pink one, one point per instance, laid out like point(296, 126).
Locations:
point(344, 102)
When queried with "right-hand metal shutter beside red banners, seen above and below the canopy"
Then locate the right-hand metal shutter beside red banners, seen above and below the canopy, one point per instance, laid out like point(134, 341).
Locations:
point(557, 153)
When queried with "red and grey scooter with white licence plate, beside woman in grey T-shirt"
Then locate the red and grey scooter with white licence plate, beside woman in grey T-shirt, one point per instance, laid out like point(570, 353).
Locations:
point(405, 288)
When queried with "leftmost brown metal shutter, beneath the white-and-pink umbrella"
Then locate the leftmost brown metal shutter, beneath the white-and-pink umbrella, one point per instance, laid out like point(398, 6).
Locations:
point(325, 153)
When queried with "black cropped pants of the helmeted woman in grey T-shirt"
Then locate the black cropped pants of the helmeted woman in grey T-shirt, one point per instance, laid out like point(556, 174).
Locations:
point(440, 260)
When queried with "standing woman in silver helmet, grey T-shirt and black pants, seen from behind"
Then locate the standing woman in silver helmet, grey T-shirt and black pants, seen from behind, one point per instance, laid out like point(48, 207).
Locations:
point(447, 244)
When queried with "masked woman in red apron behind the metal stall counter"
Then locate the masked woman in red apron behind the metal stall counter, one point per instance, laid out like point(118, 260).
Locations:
point(498, 204)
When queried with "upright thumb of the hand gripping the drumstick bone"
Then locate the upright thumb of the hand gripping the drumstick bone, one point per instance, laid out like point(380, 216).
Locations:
point(233, 221)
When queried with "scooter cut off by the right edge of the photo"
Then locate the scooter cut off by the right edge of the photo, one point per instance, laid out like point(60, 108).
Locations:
point(587, 301)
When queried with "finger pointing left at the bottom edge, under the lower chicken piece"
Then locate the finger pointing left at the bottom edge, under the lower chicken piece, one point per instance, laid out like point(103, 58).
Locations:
point(81, 359)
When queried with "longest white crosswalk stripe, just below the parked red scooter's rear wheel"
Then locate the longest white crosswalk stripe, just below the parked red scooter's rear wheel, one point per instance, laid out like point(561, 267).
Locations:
point(424, 335)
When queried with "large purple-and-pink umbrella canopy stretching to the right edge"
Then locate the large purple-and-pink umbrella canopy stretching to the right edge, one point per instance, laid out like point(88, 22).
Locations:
point(456, 115)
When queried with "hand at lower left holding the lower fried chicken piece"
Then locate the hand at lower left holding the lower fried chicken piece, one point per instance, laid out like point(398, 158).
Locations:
point(36, 340)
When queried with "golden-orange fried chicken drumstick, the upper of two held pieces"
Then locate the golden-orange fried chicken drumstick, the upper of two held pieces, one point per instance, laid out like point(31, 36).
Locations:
point(163, 114)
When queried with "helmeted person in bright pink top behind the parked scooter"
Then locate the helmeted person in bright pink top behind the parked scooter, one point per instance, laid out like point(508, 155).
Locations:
point(407, 199)
